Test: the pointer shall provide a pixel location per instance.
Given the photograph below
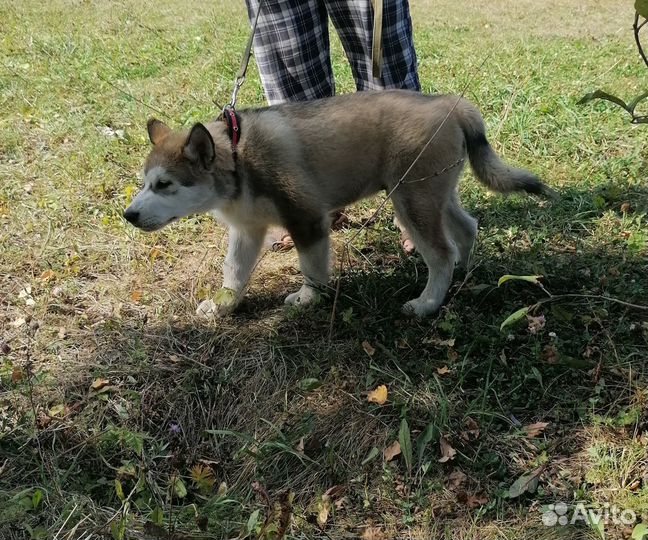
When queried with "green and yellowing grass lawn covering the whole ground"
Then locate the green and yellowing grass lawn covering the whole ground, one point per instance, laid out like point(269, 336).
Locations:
point(190, 413)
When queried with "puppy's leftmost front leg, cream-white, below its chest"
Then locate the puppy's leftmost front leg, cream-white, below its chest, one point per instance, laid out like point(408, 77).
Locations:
point(242, 253)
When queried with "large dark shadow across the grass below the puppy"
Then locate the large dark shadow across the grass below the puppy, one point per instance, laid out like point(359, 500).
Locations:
point(289, 405)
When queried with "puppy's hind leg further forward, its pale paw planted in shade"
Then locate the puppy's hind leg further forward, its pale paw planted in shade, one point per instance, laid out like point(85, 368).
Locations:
point(424, 221)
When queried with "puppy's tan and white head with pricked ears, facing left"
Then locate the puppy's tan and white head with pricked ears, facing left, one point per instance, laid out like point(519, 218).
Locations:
point(185, 173)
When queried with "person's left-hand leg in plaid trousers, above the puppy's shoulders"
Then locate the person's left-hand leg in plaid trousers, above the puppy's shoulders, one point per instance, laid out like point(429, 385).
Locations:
point(291, 48)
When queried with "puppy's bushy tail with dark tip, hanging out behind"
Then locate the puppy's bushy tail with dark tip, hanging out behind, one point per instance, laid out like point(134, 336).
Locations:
point(488, 167)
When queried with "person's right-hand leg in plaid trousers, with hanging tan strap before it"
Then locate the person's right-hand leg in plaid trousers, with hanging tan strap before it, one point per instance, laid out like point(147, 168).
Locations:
point(353, 20)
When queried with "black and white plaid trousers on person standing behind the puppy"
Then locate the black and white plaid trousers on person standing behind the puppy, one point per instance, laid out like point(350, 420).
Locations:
point(292, 47)
